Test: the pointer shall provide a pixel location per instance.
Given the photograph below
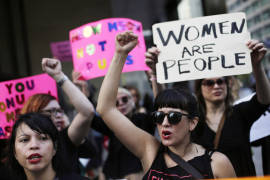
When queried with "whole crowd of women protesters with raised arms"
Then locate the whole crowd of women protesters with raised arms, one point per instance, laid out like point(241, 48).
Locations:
point(200, 135)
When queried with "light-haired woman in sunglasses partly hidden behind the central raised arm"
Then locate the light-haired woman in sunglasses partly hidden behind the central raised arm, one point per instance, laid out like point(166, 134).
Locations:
point(120, 162)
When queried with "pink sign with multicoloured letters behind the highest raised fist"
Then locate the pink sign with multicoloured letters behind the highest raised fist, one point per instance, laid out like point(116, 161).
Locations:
point(93, 46)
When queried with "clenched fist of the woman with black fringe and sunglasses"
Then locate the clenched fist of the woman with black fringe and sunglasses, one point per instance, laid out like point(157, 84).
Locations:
point(125, 42)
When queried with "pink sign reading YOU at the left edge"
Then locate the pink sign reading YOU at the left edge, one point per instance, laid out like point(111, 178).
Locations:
point(15, 93)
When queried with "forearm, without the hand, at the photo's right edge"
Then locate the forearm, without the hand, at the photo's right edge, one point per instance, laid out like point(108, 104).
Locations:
point(262, 85)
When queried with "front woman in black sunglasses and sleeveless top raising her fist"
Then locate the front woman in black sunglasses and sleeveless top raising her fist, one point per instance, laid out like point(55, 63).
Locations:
point(176, 118)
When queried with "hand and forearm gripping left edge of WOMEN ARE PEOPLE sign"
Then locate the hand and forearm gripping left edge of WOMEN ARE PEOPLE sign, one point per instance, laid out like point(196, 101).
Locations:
point(151, 60)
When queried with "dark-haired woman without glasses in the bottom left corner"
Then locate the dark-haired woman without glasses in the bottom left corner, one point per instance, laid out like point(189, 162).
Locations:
point(35, 152)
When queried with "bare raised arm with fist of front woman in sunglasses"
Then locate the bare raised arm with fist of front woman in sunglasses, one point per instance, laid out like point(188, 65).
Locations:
point(135, 139)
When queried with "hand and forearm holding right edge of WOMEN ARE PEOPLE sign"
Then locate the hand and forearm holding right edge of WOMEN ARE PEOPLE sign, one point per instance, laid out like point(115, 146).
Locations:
point(262, 82)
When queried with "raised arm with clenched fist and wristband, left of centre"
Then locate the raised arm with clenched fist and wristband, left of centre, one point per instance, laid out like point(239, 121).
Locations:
point(80, 125)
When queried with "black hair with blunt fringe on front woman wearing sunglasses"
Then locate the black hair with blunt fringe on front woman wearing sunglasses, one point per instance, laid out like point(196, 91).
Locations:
point(177, 98)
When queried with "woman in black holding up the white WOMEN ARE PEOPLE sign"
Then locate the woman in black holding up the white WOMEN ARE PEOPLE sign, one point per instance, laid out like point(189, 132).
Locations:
point(224, 127)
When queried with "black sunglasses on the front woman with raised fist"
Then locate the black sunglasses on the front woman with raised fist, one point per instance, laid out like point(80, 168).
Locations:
point(173, 117)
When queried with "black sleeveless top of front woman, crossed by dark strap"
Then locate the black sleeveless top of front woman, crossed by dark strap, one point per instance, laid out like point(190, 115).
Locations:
point(159, 170)
